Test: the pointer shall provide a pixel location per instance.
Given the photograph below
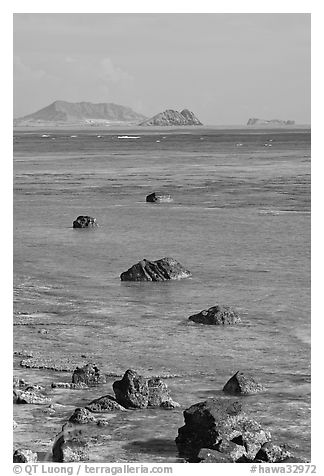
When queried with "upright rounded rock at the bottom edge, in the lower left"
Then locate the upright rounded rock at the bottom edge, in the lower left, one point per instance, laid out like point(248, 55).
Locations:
point(70, 446)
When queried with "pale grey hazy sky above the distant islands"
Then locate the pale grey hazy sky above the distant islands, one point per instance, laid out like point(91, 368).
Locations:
point(224, 67)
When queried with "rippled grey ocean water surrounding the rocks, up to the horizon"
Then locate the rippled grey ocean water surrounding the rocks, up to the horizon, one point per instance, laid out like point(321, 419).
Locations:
point(239, 221)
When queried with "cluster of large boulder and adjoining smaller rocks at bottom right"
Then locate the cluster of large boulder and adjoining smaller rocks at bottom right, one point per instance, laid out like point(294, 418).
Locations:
point(219, 431)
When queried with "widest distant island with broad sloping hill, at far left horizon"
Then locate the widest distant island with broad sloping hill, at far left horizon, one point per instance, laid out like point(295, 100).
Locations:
point(63, 112)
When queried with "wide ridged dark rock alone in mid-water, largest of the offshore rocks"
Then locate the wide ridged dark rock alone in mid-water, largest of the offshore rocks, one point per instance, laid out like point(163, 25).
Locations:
point(159, 270)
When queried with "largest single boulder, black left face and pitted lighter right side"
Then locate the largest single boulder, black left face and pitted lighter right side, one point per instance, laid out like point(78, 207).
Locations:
point(215, 424)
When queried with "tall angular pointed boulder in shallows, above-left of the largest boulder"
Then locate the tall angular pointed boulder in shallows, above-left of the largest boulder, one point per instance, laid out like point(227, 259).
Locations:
point(132, 391)
